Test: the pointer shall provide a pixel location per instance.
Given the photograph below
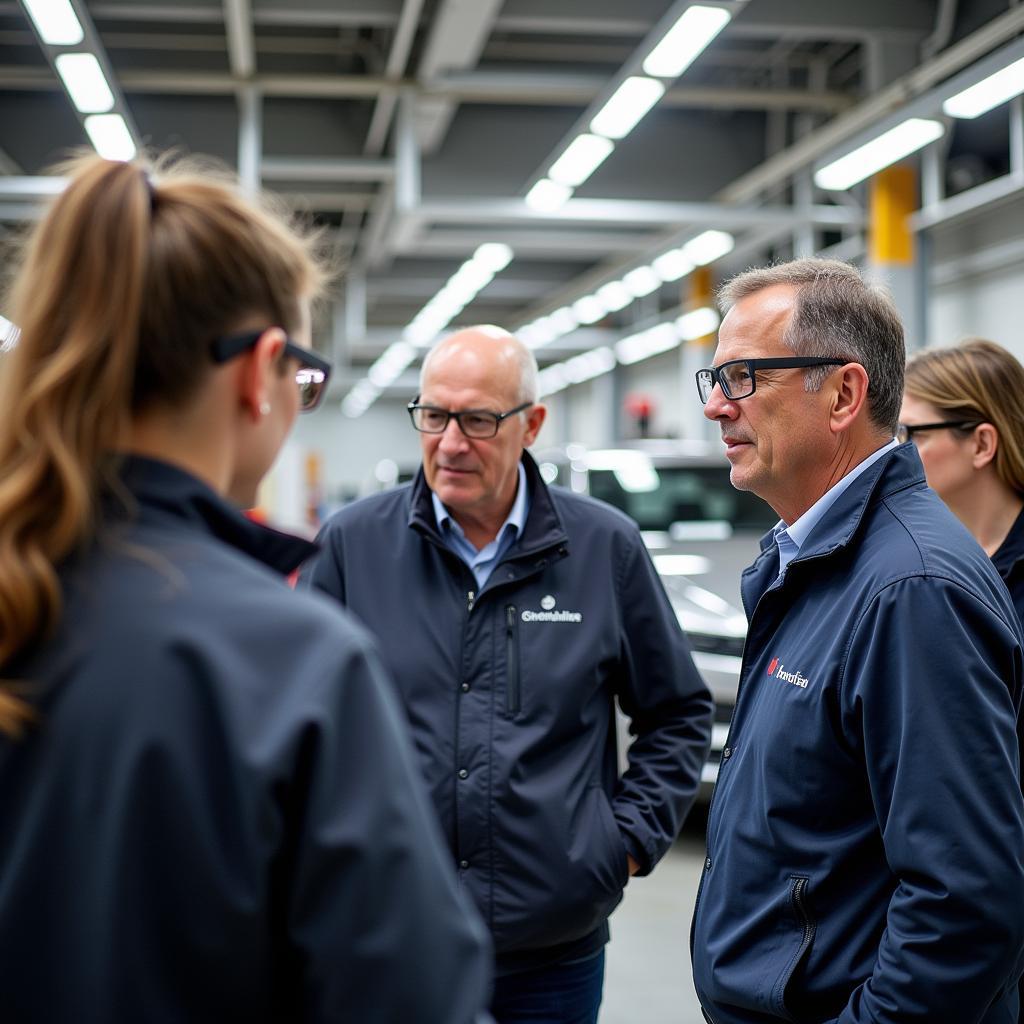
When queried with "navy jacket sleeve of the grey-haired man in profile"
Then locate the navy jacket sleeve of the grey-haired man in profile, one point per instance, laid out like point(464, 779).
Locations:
point(931, 694)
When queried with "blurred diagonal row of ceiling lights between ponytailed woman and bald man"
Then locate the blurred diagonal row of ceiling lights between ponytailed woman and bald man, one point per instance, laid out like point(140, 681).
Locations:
point(472, 278)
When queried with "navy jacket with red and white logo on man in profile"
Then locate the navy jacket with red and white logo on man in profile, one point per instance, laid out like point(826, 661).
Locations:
point(866, 843)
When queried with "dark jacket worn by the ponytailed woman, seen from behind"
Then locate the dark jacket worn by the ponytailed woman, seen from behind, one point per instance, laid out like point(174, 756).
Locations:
point(218, 817)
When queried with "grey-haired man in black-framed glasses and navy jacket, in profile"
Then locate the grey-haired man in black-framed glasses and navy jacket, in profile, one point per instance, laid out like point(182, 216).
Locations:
point(866, 841)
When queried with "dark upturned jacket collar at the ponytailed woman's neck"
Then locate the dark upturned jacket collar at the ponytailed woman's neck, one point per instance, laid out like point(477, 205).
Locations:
point(168, 494)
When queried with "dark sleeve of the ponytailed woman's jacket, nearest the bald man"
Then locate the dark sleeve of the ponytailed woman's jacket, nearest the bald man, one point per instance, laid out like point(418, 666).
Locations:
point(374, 916)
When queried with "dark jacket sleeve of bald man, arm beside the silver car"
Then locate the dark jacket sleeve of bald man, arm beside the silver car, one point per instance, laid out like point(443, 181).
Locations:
point(670, 711)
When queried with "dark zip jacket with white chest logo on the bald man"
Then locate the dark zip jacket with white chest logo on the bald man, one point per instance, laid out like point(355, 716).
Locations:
point(509, 693)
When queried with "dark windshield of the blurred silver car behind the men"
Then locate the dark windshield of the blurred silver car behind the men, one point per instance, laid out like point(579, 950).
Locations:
point(684, 495)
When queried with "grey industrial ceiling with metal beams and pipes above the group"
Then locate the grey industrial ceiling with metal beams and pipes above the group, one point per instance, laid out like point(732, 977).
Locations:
point(413, 131)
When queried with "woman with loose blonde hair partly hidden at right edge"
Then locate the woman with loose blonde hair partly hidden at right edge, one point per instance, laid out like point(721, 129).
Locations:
point(964, 408)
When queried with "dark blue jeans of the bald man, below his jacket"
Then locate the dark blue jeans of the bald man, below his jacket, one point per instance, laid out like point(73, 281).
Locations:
point(565, 994)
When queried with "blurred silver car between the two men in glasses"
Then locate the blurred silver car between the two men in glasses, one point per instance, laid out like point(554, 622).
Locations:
point(702, 534)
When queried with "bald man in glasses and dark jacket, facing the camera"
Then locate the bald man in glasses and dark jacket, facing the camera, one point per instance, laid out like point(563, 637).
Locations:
point(511, 615)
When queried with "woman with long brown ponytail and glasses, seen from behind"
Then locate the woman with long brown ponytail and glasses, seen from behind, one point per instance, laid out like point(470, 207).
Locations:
point(208, 805)
